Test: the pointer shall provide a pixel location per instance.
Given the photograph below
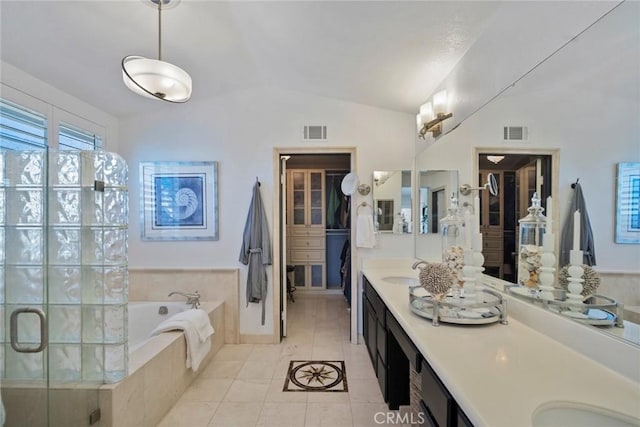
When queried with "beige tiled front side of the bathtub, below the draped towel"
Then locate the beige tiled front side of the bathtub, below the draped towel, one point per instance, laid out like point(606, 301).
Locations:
point(157, 376)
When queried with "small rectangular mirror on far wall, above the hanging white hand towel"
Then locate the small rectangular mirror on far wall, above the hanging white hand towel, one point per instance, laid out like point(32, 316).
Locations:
point(392, 201)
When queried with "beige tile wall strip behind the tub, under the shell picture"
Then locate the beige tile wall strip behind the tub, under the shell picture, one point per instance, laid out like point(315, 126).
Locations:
point(213, 285)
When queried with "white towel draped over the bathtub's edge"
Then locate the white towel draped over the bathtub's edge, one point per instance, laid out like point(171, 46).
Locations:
point(197, 330)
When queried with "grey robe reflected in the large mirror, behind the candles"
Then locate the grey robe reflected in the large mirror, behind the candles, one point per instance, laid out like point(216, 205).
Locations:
point(586, 233)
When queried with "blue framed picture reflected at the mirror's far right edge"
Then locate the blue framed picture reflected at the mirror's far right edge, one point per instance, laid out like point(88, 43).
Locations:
point(628, 203)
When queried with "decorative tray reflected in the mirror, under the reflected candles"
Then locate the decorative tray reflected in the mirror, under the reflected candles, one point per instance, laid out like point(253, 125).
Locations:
point(596, 310)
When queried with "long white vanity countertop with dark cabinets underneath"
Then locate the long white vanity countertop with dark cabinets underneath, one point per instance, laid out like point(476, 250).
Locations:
point(499, 374)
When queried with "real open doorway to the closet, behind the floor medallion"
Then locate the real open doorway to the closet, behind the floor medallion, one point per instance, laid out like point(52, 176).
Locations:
point(313, 232)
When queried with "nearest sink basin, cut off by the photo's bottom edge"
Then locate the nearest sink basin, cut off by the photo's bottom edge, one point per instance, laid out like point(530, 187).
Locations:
point(576, 414)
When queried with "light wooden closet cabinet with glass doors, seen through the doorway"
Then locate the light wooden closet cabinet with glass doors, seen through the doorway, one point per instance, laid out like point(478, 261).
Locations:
point(306, 241)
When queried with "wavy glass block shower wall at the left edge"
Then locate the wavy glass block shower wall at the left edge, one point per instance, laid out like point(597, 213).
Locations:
point(63, 249)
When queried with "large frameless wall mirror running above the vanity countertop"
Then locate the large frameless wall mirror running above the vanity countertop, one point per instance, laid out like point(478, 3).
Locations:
point(579, 115)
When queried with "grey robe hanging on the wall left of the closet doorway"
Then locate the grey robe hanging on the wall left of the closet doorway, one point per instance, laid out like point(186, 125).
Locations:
point(256, 250)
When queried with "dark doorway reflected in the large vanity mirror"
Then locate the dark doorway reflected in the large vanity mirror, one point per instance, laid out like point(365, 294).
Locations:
point(519, 174)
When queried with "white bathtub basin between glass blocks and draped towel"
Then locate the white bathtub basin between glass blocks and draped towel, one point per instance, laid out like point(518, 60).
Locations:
point(145, 316)
